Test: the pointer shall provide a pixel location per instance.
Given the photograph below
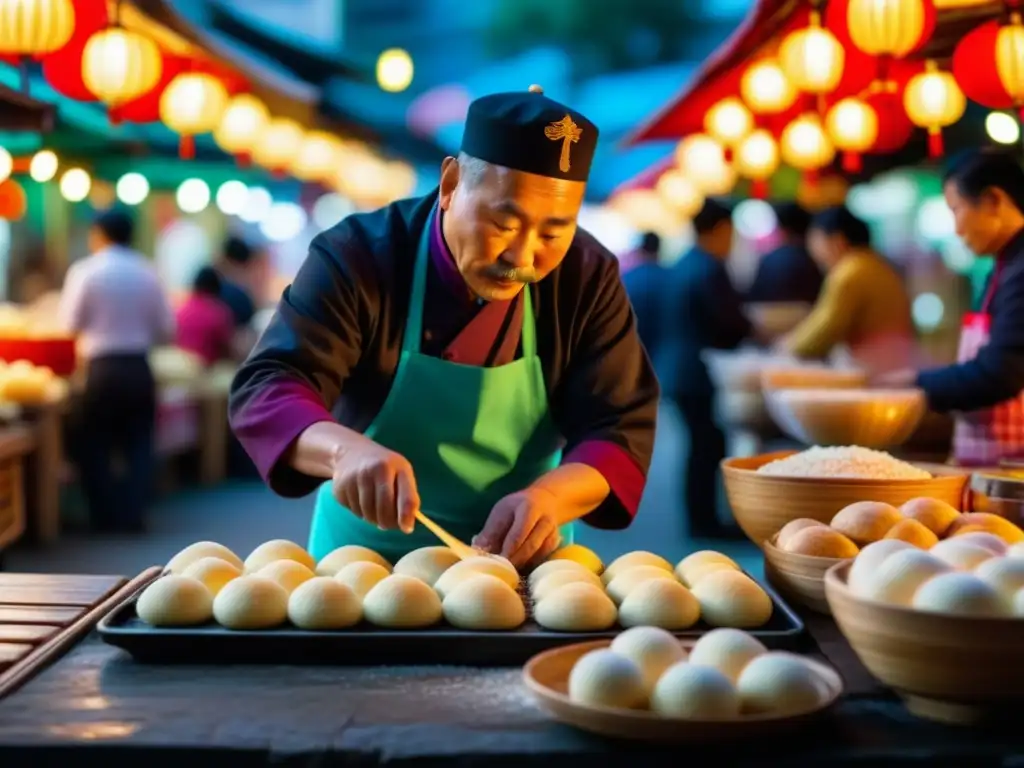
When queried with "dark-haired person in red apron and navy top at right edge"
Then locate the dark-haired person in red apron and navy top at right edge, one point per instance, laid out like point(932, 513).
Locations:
point(986, 192)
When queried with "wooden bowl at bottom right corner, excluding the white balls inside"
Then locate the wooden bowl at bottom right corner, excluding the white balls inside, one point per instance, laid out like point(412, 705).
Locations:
point(951, 669)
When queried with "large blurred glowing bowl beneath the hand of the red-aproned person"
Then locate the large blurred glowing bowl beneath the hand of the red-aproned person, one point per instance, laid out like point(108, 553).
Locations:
point(871, 418)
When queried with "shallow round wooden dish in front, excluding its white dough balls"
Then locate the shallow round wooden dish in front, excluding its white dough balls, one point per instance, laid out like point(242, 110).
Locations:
point(547, 676)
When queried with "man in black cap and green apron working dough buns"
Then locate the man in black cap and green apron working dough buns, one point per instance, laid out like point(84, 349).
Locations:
point(407, 368)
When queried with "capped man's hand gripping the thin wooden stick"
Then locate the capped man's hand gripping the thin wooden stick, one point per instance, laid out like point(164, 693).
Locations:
point(376, 485)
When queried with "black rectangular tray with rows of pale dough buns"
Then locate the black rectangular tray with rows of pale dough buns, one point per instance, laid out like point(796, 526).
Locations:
point(279, 606)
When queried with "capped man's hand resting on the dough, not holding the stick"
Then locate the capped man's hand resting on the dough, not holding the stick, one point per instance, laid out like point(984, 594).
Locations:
point(523, 527)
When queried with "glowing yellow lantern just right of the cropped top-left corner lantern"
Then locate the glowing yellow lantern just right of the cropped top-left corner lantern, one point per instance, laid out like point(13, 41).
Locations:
point(119, 66)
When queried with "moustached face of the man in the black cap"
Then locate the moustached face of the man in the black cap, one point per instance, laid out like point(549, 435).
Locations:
point(507, 229)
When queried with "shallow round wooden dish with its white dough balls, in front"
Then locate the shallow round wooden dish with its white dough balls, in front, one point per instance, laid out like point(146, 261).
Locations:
point(649, 686)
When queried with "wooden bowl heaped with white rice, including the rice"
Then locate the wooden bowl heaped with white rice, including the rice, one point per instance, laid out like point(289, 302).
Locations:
point(767, 492)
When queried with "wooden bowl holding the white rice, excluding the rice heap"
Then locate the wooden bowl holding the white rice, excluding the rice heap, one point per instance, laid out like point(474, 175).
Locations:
point(763, 504)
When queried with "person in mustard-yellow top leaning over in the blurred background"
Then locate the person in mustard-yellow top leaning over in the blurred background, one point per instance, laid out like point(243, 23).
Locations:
point(864, 305)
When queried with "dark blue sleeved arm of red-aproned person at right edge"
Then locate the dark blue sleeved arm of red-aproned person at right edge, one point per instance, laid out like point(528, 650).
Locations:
point(997, 374)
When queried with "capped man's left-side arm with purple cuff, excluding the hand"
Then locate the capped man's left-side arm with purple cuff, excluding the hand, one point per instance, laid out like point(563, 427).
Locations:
point(295, 373)
